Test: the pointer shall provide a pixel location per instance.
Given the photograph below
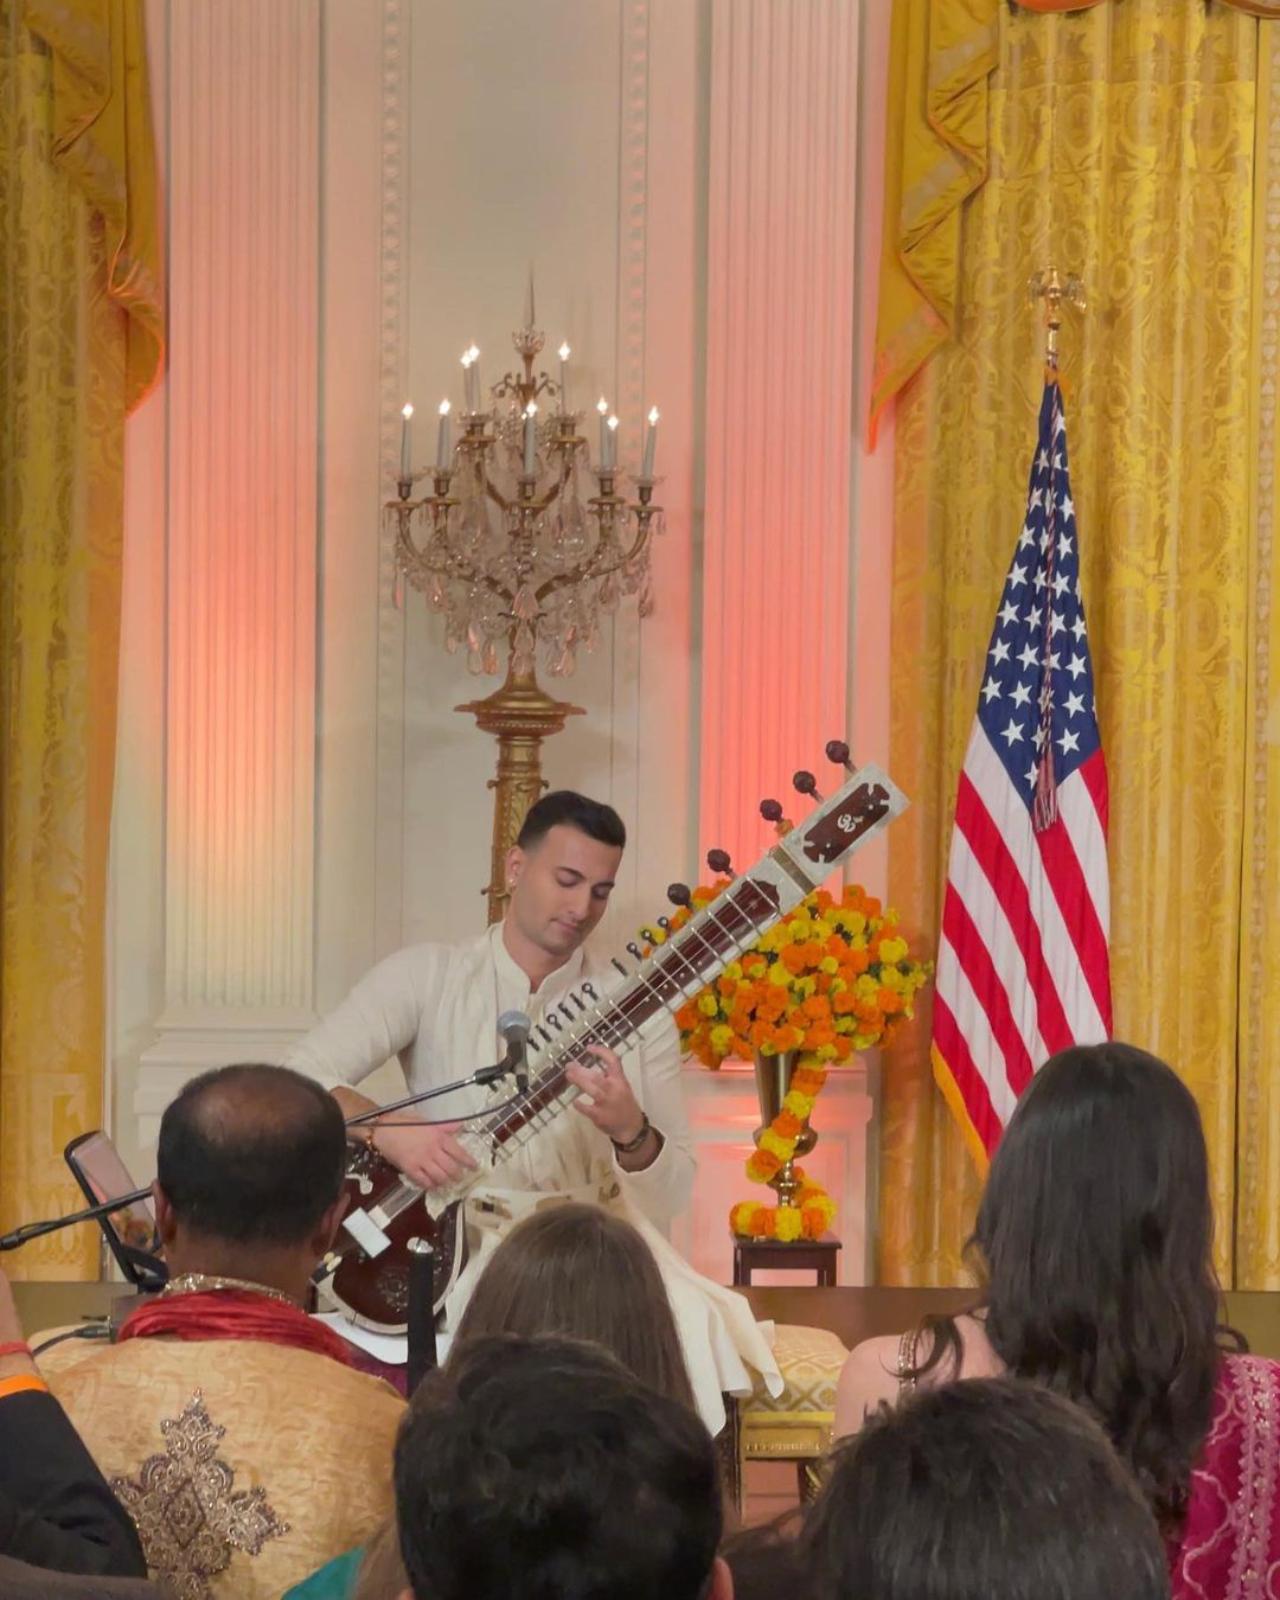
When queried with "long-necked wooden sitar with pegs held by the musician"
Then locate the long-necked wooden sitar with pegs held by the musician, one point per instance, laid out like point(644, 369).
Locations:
point(367, 1273)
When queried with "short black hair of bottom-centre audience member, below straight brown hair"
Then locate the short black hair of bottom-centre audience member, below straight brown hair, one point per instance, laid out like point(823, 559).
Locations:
point(540, 1470)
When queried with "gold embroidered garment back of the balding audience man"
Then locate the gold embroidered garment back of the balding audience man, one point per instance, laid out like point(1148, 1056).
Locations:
point(246, 1466)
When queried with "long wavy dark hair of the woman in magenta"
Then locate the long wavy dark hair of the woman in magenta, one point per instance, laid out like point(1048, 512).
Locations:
point(1095, 1239)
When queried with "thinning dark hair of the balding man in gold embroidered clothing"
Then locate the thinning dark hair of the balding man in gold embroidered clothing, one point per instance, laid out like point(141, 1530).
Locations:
point(252, 1154)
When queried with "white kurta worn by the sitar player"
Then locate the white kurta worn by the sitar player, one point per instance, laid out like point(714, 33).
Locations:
point(436, 1007)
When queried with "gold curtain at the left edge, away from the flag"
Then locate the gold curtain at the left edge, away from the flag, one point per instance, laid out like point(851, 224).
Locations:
point(81, 337)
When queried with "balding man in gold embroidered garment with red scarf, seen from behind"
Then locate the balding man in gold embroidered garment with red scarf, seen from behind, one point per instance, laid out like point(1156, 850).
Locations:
point(230, 1423)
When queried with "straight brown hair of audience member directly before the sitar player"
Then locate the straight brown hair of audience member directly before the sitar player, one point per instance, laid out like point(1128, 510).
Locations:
point(577, 1271)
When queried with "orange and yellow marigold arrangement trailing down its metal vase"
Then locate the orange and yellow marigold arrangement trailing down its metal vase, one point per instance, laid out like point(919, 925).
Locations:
point(830, 980)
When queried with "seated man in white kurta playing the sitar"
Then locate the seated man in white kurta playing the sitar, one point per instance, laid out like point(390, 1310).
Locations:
point(625, 1143)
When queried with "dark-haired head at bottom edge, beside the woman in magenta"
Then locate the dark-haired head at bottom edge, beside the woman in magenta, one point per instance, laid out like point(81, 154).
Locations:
point(982, 1490)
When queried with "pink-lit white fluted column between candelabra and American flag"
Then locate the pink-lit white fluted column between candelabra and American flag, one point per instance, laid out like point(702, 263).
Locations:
point(783, 193)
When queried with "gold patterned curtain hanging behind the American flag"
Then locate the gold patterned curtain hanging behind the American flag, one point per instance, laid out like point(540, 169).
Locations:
point(1122, 148)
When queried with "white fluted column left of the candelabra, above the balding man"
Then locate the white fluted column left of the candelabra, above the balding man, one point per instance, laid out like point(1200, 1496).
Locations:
point(244, 161)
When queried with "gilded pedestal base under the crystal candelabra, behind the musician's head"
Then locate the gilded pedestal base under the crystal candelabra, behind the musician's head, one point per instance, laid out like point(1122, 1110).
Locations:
point(521, 714)
